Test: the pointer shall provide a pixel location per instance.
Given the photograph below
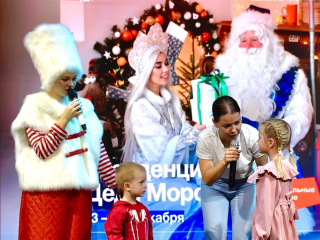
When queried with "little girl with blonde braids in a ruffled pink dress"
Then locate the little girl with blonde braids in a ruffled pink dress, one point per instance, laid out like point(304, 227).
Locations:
point(275, 212)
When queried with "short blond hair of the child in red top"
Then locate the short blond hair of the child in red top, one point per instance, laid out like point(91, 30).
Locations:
point(126, 173)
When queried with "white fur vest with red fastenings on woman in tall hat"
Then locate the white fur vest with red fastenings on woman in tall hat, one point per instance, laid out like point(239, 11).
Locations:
point(40, 112)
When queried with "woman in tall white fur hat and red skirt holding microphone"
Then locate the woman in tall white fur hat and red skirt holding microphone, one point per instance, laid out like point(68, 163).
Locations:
point(57, 159)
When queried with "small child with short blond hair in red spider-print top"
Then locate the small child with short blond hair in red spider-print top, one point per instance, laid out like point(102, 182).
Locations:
point(129, 219)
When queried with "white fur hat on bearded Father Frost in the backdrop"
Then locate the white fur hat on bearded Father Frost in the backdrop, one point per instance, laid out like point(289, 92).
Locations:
point(251, 21)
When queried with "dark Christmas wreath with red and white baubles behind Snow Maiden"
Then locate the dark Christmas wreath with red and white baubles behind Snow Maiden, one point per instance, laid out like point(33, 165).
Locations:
point(189, 17)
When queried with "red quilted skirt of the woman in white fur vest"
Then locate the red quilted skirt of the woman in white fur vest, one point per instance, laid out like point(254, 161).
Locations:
point(55, 215)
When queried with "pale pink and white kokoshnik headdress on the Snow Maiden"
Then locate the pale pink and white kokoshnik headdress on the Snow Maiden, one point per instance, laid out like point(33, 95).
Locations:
point(145, 45)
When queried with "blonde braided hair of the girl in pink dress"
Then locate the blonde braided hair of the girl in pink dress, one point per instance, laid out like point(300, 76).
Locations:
point(280, 131)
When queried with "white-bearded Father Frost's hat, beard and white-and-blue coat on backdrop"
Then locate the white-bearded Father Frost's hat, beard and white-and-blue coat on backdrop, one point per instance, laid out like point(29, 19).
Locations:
point(270, 84)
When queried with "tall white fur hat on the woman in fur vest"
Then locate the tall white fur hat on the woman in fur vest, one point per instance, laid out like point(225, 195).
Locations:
point(53, 52)
